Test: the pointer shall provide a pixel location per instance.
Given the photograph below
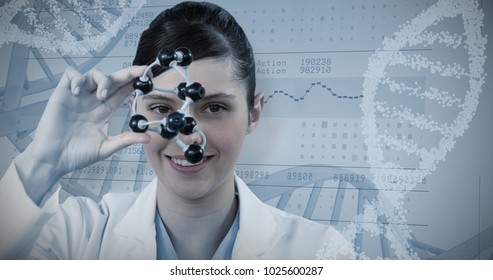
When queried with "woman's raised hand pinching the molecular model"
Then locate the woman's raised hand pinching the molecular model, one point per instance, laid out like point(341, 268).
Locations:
point(73, 130)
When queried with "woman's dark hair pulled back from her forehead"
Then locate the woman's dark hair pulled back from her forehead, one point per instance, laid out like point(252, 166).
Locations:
point(208, 31)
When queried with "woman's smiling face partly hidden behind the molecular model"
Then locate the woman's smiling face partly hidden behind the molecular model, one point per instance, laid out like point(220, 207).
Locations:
point(223, 117)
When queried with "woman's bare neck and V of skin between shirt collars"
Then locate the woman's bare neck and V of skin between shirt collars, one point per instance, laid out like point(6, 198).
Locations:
point(197, 227)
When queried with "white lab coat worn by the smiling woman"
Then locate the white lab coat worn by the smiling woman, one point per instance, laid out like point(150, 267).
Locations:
point(122, 226)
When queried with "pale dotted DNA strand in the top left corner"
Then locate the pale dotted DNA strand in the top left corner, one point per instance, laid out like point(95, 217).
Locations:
point(21, 23)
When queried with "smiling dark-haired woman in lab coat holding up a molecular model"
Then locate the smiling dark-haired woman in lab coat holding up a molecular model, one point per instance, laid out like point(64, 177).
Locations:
point(190, 211)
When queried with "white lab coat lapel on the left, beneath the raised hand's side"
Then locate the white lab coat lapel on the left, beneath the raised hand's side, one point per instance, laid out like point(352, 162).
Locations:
point(134, 235)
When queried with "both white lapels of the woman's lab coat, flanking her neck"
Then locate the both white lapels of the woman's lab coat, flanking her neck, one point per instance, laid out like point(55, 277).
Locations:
point(258, 231)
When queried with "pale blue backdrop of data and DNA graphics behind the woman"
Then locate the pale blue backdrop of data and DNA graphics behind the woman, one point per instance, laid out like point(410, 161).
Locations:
point(330, 147)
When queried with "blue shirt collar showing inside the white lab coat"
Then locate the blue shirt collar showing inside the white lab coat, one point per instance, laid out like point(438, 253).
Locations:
point(166, 251)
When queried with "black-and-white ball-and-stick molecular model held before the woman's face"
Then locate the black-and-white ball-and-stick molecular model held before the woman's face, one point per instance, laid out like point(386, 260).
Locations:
point(178, 121)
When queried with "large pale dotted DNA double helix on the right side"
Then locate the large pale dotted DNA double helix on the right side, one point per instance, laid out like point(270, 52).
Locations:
point(385, 214)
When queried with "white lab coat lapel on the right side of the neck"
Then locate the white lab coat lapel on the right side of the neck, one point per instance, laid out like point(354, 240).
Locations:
point(258, 231)
